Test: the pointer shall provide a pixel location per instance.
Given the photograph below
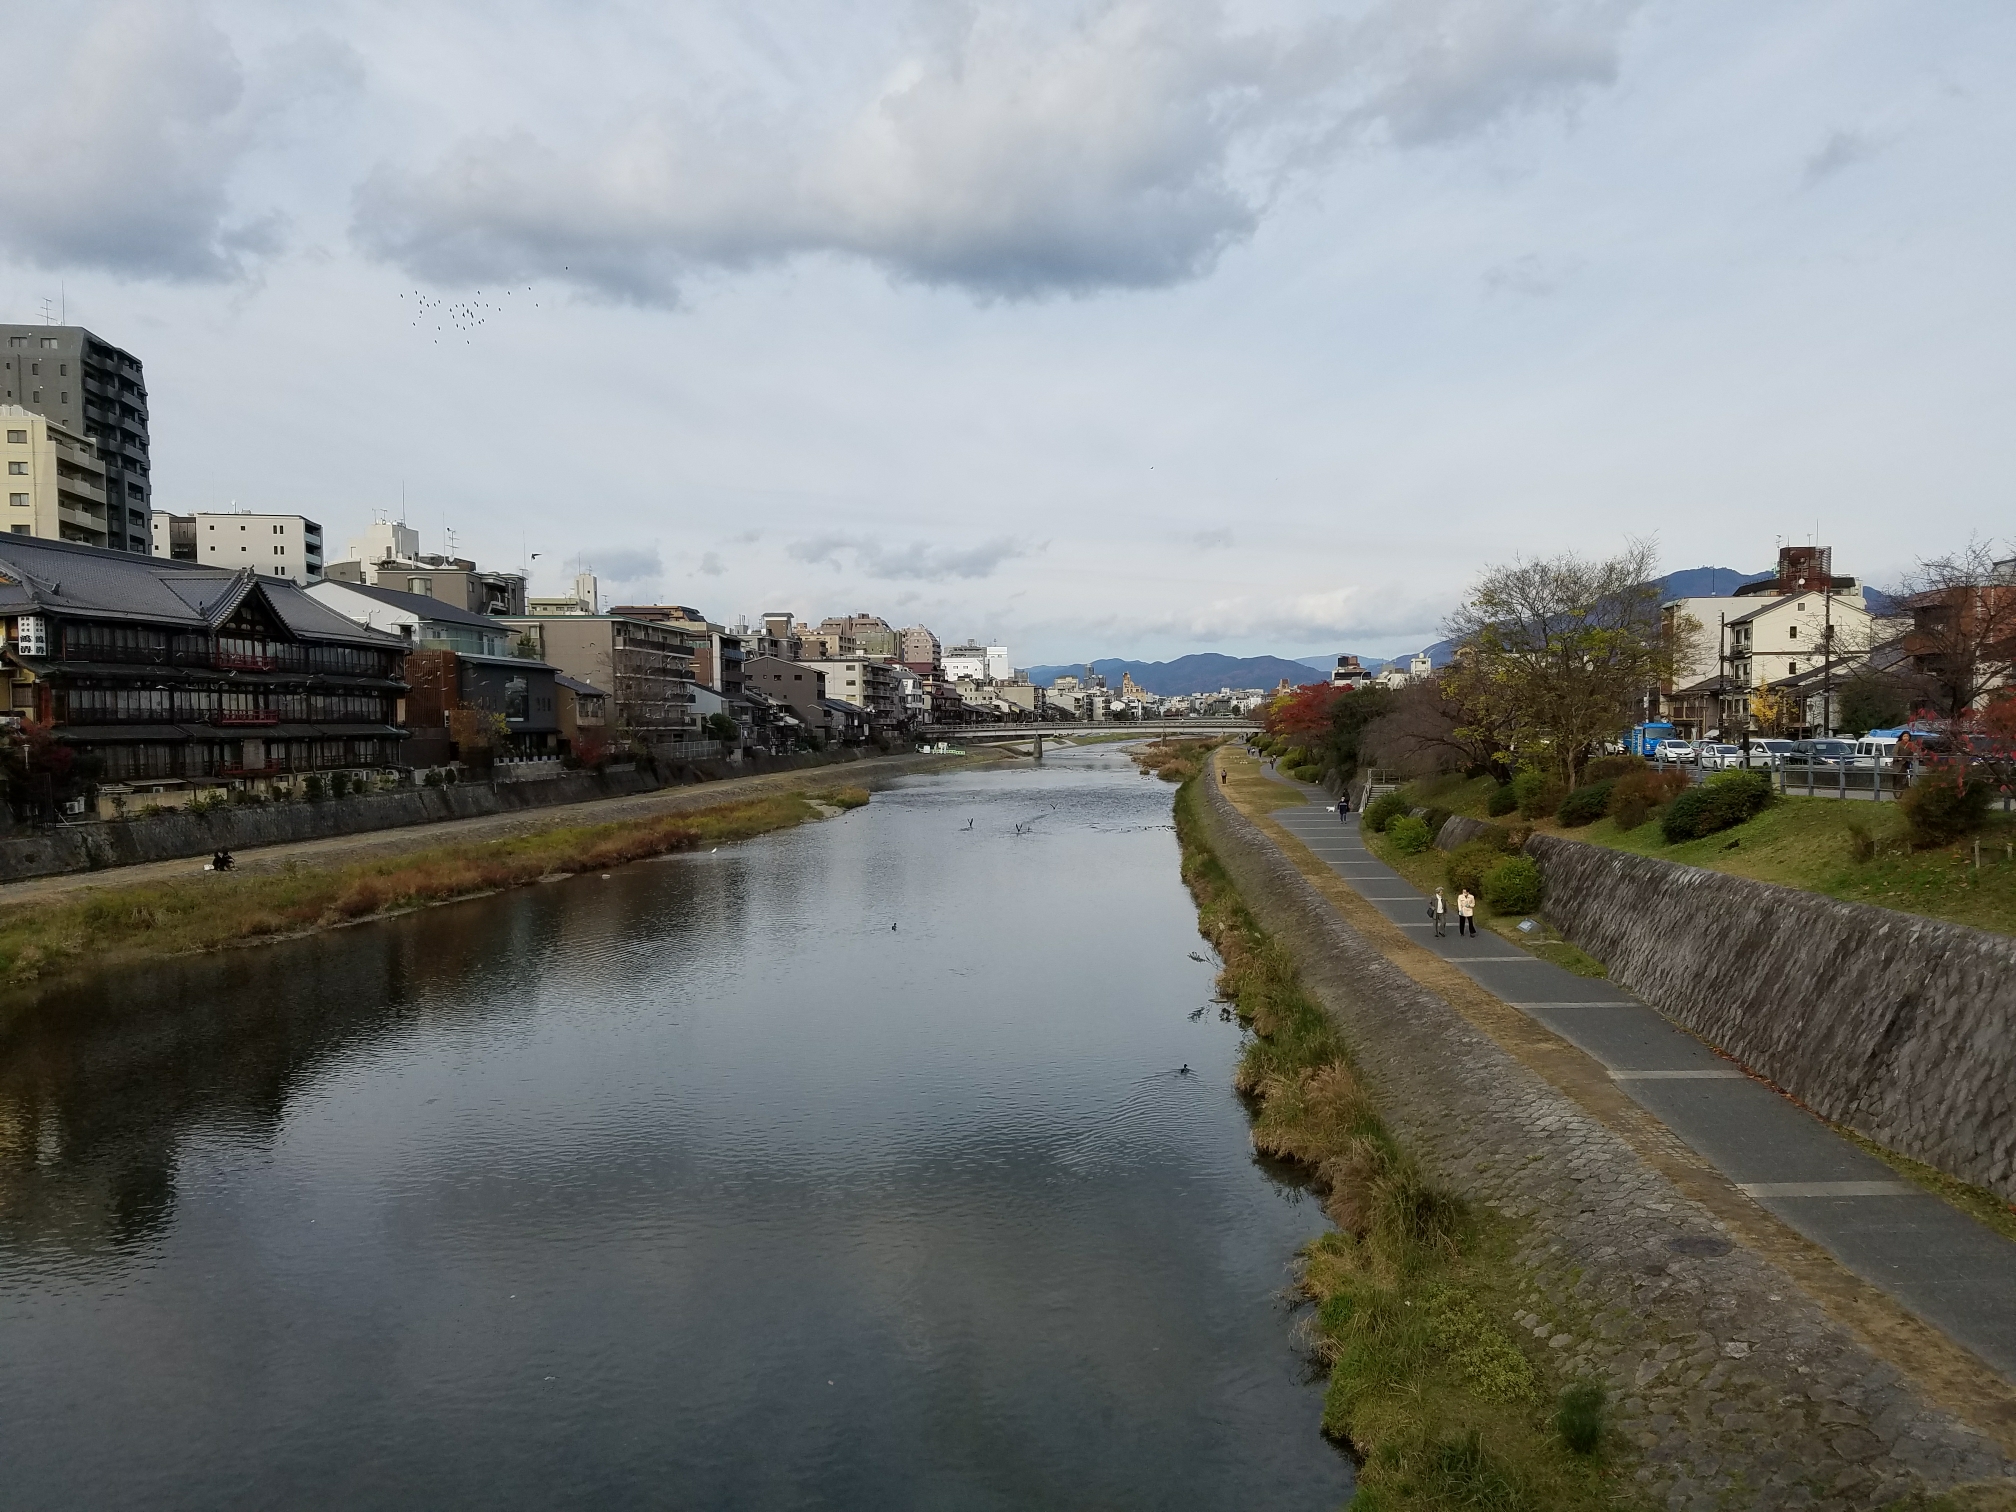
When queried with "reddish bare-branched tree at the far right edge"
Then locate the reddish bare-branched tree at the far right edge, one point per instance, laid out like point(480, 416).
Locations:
point(1963, 638)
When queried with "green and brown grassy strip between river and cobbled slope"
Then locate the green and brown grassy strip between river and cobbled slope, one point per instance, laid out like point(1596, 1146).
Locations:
point(1414, 1293)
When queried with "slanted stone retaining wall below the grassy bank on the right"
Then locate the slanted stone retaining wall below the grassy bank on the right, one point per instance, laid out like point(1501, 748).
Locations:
point(1902, 1029)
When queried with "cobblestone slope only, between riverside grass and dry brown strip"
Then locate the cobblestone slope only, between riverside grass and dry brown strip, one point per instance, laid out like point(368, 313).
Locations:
point(1733, 1384)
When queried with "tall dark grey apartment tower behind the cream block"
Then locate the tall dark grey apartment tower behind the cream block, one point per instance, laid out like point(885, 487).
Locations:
point(94, 390)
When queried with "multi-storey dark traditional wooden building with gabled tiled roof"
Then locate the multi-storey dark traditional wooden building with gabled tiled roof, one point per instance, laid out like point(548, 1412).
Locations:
point(154, 668)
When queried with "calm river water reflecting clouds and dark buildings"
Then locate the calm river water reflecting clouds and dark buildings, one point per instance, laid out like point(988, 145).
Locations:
point(699, 1186)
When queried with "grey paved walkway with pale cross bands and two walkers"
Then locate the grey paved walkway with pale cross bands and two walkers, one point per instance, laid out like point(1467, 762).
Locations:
point(1938, 1263)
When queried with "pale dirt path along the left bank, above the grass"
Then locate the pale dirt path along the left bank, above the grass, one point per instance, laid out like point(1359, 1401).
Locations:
point(368, 846)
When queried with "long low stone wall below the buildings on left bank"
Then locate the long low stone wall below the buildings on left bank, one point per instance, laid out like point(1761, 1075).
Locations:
point(243, 828)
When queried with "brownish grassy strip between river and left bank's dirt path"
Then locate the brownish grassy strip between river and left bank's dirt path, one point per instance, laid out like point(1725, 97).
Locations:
point(209, 912)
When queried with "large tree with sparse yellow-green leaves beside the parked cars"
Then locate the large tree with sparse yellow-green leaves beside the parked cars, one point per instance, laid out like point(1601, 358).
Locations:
point(1559, 652)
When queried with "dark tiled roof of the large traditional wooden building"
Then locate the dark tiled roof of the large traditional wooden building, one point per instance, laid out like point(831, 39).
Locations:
point(59, 578)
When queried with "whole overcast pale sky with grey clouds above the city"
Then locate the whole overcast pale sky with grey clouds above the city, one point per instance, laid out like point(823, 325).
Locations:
point(1098, 330)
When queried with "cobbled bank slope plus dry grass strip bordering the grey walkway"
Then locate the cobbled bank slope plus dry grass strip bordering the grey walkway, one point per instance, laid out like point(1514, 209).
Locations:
point(1723, 1340)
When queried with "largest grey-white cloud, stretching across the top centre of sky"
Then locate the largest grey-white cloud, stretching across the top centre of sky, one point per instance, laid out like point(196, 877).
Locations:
point(1126, 148)
